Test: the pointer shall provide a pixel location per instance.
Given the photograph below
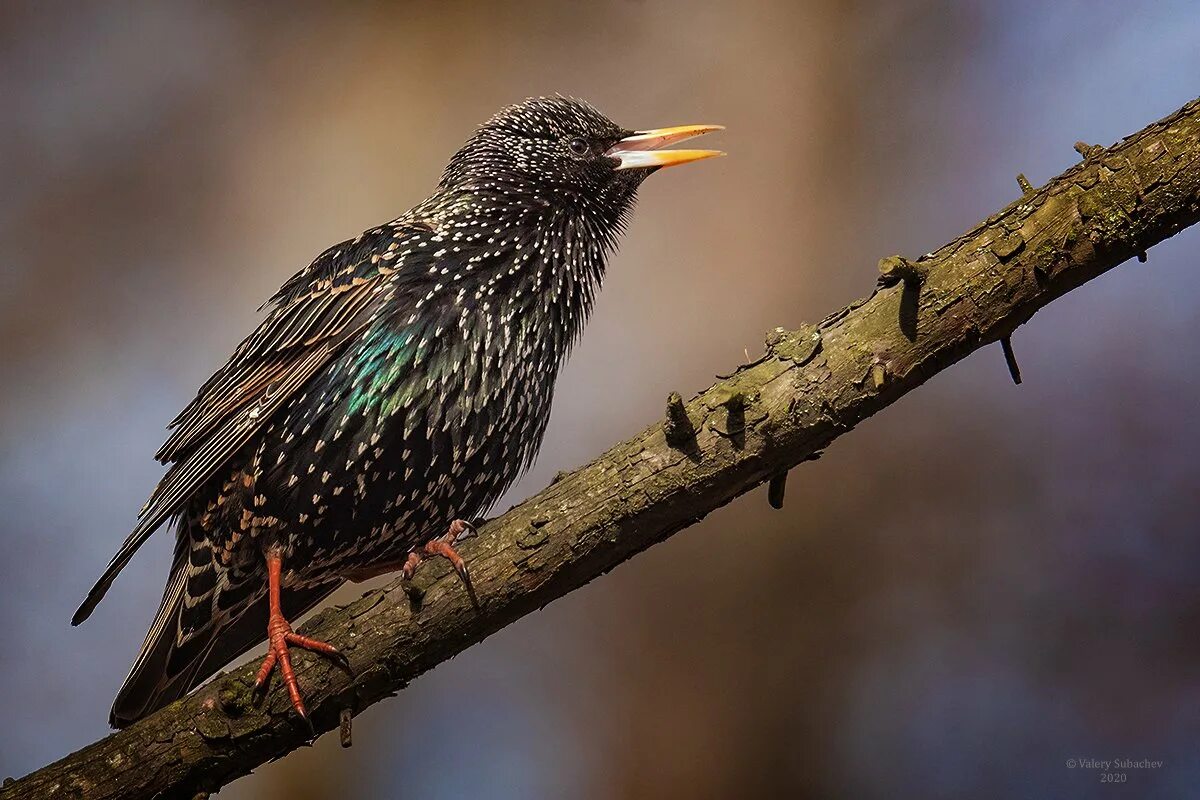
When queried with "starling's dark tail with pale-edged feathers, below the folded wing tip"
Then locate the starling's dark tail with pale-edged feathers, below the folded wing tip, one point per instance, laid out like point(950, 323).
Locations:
point(197, 631)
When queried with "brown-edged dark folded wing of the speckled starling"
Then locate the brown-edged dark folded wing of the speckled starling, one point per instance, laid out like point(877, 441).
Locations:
point(313, 317)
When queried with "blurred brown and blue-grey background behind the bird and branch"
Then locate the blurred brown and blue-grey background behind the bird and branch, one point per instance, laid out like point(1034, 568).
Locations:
point(977, 586)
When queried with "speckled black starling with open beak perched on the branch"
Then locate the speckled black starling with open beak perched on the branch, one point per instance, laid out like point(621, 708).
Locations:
point(394, 390)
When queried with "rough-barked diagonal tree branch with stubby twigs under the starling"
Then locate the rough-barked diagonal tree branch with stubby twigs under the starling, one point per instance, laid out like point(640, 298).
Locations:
point(811, 387)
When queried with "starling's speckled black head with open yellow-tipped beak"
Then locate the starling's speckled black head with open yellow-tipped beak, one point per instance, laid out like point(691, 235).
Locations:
point(562, 154)
